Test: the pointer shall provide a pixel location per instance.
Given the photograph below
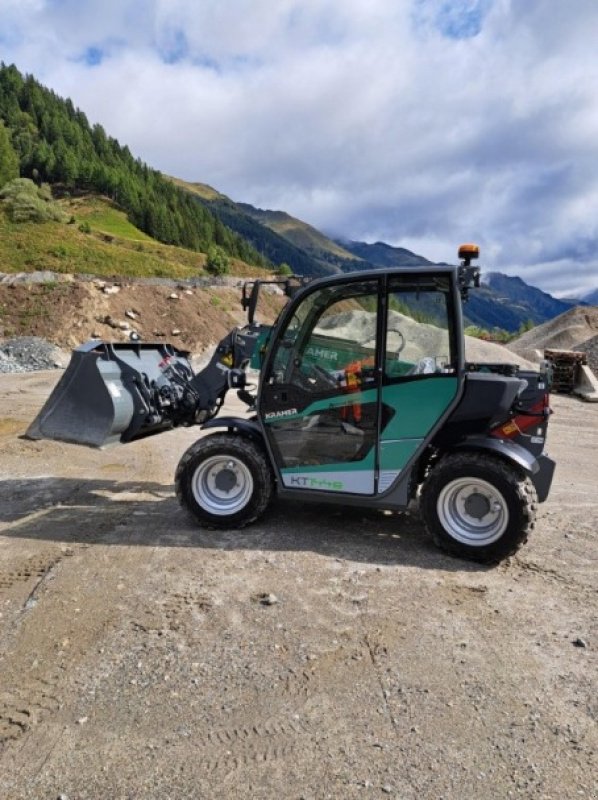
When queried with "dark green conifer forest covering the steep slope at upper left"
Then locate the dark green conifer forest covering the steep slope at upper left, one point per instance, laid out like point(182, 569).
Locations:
point(48, 140)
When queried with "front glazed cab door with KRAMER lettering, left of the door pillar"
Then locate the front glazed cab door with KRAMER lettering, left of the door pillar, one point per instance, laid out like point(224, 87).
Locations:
point(319, 398)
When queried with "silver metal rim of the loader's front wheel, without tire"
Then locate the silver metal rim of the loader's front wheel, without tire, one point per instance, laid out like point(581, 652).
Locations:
point(222, 485)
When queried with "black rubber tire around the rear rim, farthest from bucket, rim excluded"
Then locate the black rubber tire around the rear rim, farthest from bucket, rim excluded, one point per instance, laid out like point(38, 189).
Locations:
point(515, 487)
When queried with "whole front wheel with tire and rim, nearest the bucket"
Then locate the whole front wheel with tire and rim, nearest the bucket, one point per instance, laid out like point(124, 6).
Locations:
point(224, 481)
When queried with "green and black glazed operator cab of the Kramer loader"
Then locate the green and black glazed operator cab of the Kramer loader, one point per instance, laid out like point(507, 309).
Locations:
point(359, 373)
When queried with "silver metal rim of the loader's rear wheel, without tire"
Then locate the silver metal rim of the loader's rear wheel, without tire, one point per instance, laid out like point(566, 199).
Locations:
point(472, 511)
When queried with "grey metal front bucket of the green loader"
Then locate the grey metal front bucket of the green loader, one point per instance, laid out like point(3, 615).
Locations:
point(105, 395)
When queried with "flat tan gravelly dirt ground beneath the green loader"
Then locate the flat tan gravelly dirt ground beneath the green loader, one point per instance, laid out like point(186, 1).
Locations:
point(137, 659)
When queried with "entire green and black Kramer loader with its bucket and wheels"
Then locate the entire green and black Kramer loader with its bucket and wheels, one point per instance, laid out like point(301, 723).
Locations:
point(364, 399)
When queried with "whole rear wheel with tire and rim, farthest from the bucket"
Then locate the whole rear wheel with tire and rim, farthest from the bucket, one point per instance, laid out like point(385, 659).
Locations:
point(478, 507)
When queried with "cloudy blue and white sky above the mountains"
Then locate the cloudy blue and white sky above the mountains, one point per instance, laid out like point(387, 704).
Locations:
point(421, 123)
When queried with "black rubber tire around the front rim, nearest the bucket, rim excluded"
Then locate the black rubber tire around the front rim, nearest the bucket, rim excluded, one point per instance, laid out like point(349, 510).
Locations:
point(241, 448)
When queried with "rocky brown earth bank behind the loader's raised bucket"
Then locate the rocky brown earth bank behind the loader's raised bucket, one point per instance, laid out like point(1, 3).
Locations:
point(68, 312)
